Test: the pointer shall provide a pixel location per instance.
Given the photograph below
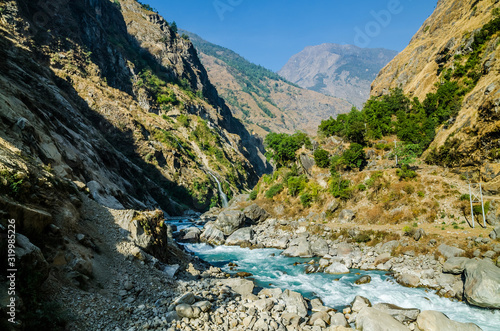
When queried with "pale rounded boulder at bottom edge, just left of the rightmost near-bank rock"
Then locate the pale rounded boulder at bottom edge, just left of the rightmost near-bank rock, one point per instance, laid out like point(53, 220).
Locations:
point(374, 320)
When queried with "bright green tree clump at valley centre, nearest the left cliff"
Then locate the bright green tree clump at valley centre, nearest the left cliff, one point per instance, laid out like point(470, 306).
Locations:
point(281, 147)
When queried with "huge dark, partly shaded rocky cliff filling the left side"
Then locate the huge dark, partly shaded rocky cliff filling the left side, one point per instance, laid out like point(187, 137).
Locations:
point(104, 95)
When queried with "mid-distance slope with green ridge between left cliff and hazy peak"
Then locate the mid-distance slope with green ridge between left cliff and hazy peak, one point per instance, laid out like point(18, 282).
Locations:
point(260, 98)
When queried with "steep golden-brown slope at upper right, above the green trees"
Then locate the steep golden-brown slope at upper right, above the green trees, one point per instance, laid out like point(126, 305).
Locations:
point(456, 46)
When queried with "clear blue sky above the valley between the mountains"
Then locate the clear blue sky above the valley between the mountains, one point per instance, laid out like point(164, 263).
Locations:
point(269, 32)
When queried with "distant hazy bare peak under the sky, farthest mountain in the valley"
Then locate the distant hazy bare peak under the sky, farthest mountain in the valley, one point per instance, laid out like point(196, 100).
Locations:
point(342, 71)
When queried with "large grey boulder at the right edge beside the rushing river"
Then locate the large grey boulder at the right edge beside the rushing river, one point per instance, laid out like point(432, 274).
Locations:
point(482, 284)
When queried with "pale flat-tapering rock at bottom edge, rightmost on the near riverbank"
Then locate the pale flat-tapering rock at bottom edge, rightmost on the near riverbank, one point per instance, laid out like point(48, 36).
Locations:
point(430, 320)
